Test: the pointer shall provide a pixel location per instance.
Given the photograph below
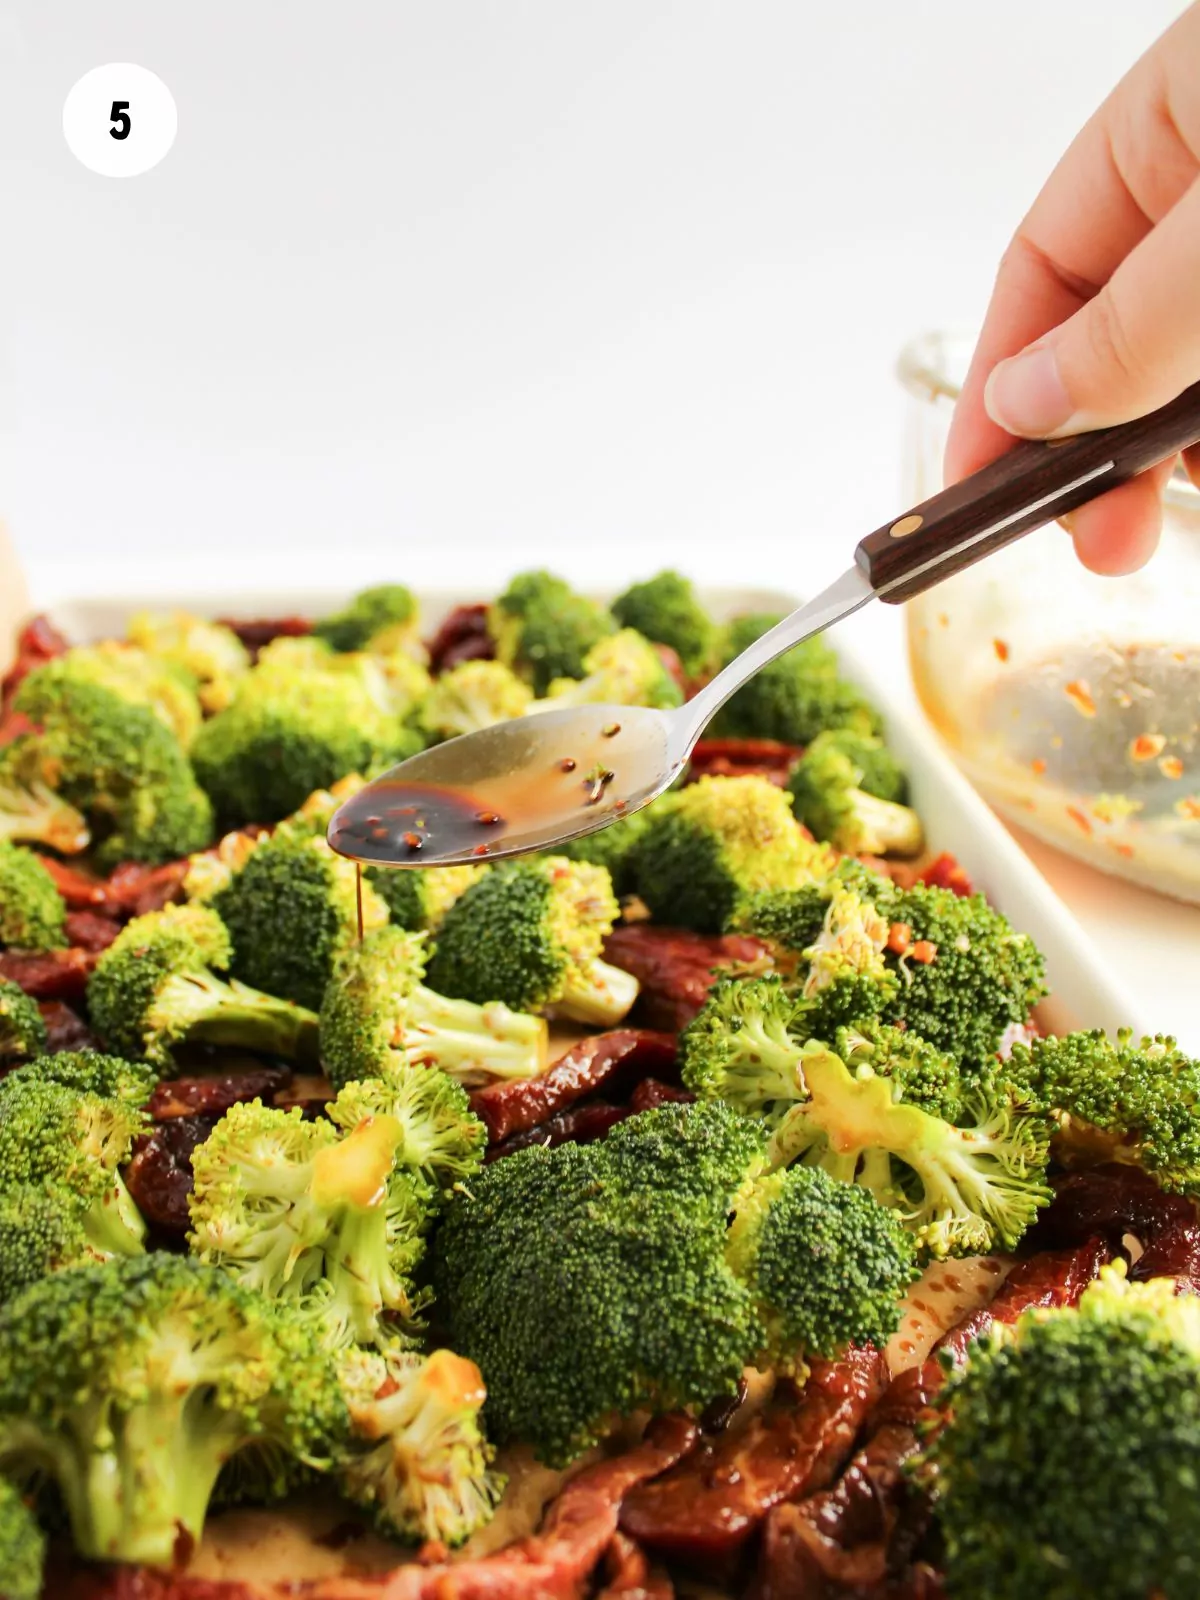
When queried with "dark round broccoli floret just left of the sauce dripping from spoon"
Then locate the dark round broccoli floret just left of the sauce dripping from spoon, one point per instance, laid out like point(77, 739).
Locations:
point(292, 911)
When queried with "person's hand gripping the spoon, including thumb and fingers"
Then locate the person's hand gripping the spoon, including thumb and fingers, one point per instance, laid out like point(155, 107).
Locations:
point(1095, 318)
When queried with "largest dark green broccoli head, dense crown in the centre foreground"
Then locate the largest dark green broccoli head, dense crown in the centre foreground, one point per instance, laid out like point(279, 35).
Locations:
point(590, 1282)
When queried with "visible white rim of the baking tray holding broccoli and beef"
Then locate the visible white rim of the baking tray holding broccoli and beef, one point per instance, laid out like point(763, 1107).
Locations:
point(1084, 991)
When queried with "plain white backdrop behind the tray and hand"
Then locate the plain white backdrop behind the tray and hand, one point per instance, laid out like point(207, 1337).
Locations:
point(436, 289)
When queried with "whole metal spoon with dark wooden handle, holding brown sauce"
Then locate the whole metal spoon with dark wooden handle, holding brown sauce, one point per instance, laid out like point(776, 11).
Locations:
point(543, 780)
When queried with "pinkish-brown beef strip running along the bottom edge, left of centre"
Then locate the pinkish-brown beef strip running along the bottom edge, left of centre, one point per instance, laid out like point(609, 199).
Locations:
point(559, 1561)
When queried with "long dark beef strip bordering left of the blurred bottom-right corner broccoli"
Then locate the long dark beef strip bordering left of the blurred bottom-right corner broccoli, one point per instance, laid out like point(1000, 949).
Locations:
point(863, 1532)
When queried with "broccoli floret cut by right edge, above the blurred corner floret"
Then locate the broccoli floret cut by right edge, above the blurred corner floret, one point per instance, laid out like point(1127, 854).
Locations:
point(1134, 1102)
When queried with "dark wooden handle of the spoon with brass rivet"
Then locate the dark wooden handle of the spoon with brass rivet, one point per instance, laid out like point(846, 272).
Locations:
point(1031, 486)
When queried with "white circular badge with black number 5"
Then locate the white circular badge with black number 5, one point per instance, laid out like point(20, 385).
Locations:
point(121, 121)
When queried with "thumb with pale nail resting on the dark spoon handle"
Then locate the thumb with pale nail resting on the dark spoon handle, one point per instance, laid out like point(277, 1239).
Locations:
point(1127, 351)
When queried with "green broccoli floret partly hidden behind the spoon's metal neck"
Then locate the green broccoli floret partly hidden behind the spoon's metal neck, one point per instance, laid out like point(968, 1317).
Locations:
point(796, 697)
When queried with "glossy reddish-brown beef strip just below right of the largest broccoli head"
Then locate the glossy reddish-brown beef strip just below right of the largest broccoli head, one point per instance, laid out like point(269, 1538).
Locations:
point(706, 1510)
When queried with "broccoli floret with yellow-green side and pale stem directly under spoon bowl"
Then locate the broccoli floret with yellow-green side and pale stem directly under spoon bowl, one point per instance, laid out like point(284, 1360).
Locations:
point(530, 934)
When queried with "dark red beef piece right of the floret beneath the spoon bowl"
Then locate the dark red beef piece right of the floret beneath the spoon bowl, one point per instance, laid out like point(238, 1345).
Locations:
point(678, 969)
